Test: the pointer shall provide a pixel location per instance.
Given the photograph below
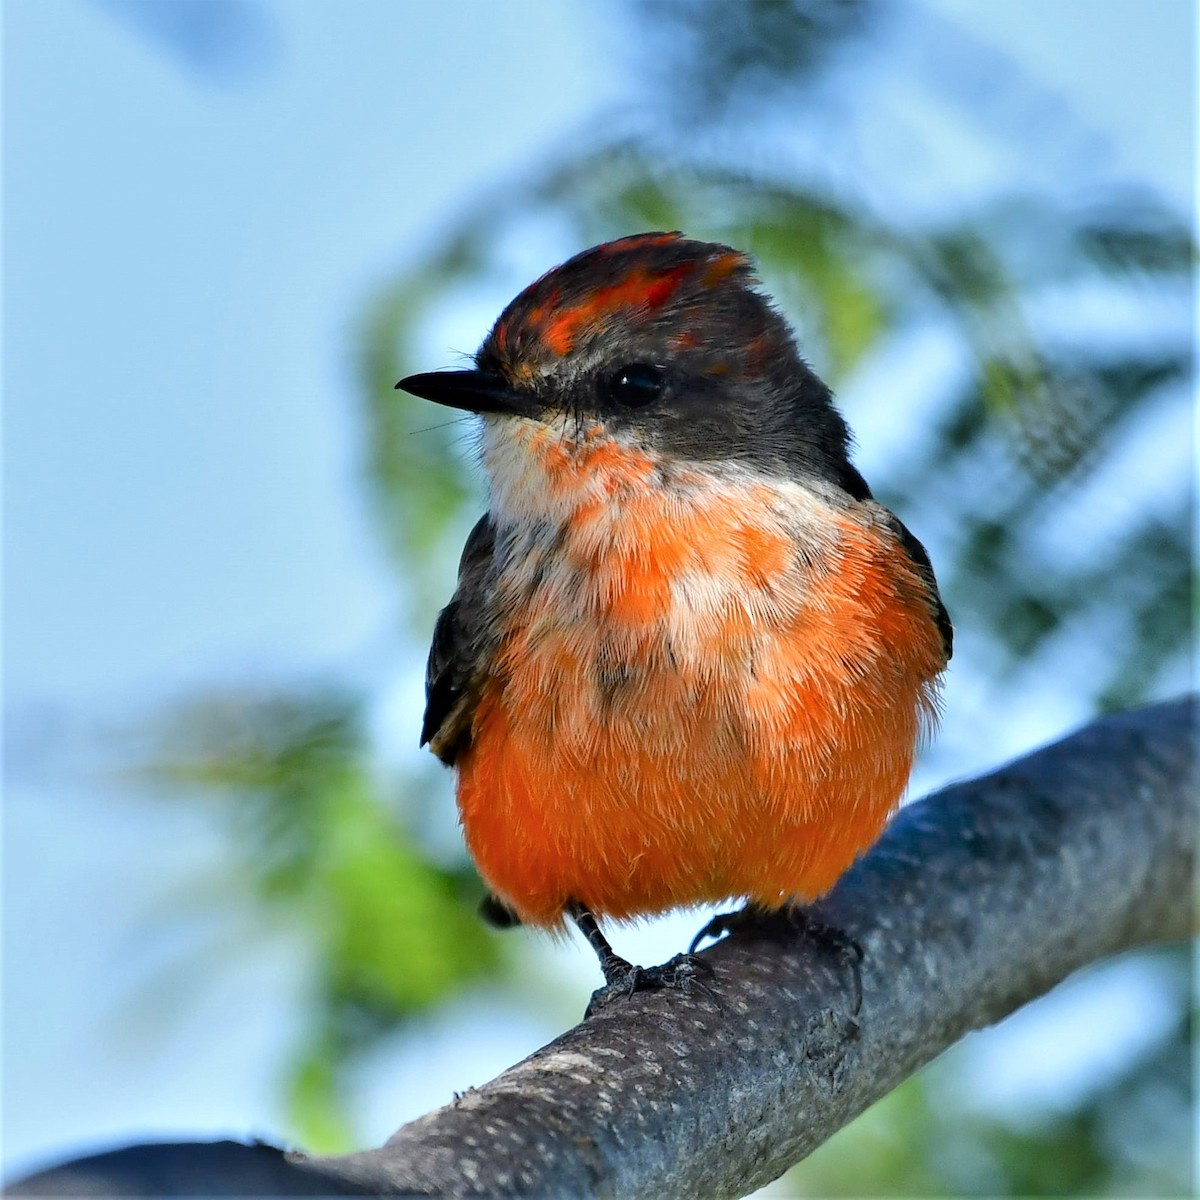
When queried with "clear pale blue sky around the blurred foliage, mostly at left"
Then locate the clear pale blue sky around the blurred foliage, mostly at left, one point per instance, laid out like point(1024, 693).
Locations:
point(188, 250)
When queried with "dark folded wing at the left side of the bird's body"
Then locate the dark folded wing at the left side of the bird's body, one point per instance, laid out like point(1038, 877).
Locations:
point(464, 644)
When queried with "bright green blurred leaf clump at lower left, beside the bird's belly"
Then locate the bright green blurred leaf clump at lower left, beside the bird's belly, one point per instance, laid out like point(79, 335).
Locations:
point(314, 836)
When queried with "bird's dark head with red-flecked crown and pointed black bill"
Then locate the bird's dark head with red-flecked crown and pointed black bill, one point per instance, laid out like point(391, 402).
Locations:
point(661, 343)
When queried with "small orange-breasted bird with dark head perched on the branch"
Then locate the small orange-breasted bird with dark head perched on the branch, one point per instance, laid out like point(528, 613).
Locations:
point(689, 658)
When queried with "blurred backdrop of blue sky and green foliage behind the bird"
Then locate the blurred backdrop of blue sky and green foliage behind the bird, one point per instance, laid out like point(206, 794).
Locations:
point(236, 898)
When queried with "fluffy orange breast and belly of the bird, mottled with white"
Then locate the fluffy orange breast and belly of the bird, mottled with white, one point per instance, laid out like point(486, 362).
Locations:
point(705, 691)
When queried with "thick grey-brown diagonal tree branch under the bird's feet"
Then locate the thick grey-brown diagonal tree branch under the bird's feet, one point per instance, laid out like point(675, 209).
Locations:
point(977, 901)
